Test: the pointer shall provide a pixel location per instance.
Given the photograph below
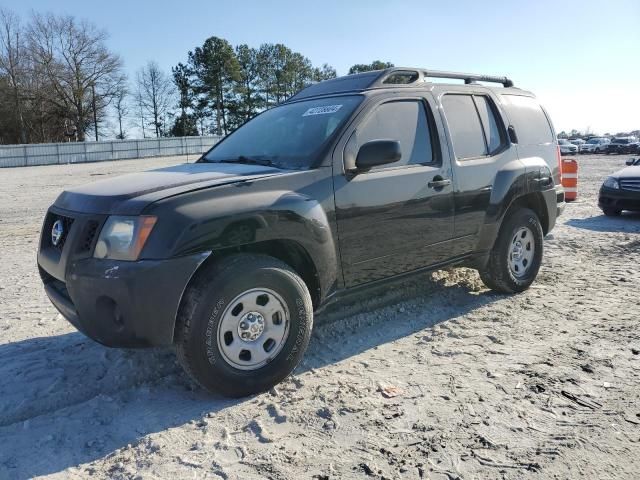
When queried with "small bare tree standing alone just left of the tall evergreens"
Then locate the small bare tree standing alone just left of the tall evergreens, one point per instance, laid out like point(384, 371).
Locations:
point(155, 95)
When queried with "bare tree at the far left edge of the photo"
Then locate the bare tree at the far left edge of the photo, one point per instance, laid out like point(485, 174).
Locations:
point(13, 64)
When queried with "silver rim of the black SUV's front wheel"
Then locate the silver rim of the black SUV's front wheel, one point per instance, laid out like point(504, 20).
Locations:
point(253, 329)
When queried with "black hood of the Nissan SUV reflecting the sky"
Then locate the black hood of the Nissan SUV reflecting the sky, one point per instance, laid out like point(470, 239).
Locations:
point(130, 194)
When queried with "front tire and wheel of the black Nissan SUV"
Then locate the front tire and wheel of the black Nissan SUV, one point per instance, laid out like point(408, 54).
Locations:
point(244, 325)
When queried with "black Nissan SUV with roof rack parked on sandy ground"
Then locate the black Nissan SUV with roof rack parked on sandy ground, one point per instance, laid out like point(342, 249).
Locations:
point(351, 182)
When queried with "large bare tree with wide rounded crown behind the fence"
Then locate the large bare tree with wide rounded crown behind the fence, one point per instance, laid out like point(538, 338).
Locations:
point(82, 72)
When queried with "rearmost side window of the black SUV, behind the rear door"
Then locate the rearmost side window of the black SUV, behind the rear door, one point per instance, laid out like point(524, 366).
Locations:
point(529, 120)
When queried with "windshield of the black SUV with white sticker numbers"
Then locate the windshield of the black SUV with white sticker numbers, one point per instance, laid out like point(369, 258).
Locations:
point(288, 136)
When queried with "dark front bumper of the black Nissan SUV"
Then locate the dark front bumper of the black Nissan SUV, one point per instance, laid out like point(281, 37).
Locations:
point(123, 304)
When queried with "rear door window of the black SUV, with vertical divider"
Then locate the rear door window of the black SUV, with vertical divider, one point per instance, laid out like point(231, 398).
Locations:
point(474, 126)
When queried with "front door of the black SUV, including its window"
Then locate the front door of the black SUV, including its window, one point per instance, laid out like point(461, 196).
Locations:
point(393, 219)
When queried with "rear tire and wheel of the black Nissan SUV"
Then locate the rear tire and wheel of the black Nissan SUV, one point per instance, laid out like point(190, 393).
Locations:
point(516, 256)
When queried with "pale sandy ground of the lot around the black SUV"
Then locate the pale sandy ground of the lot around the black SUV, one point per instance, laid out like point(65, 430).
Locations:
point(545, 384)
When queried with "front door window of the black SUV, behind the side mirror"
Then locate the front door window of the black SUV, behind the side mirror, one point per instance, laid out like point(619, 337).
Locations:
point(405, 122)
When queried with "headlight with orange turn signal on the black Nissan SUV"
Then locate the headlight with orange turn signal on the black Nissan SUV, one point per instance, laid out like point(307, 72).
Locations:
point(122, 238)
